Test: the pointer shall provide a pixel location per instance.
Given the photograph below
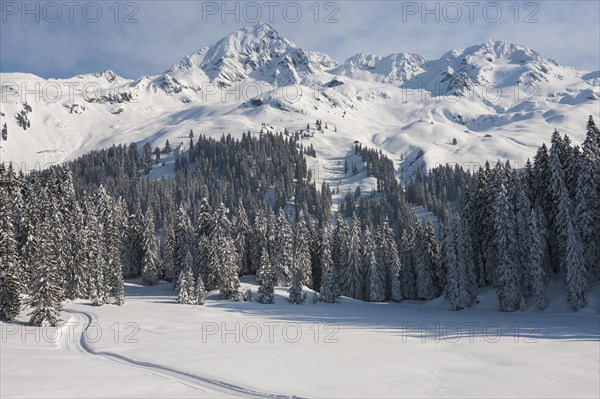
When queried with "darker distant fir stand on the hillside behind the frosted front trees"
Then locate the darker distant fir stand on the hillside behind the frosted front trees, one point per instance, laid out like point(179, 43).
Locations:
point(226, 170)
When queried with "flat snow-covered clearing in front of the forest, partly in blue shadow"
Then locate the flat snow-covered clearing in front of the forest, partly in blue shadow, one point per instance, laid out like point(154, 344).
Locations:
point(153, 347)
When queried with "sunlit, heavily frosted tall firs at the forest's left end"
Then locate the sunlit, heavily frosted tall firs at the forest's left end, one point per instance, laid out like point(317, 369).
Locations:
point(54, 247)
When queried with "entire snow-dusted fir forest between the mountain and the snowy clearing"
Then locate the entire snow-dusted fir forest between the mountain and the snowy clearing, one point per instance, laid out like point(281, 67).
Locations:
point(251, 207)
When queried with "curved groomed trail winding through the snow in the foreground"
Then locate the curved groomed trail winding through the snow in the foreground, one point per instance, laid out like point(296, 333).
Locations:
point(78, 343)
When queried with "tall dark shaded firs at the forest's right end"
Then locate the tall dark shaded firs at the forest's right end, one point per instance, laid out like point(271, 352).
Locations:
point(517, 229)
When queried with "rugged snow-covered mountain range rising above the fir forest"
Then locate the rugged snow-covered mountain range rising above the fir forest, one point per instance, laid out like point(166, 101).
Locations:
point(497, 99)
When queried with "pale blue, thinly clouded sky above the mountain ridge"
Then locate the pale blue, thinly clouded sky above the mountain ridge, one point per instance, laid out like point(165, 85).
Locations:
point(147, 37)
